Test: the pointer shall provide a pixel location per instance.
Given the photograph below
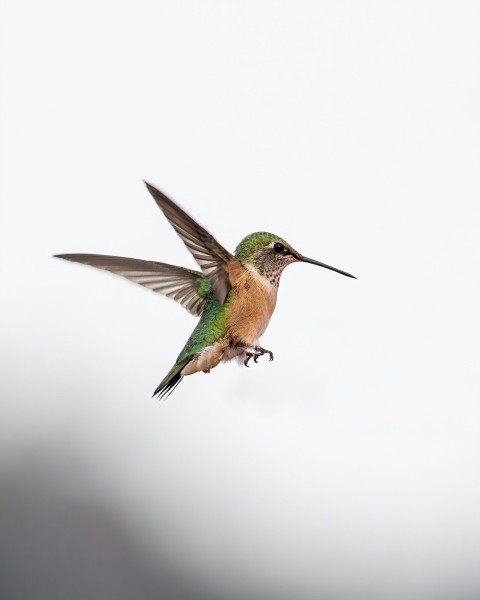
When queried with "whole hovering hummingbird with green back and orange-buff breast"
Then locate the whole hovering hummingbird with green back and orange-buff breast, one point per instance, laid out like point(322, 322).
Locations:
point(234, 294)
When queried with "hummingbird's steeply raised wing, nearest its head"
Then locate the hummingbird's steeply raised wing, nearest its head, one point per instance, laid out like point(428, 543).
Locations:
point(209, 254)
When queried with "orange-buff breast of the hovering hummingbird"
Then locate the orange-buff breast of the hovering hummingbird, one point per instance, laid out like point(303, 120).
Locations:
point(253, 302)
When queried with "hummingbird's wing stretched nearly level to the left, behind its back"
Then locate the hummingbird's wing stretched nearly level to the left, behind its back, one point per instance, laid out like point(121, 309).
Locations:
point(190, 288)
